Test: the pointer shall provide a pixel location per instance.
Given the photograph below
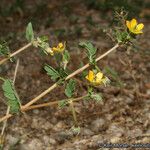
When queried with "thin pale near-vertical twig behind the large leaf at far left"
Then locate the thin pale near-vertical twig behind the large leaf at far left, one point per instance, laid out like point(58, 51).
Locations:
point(8, 108)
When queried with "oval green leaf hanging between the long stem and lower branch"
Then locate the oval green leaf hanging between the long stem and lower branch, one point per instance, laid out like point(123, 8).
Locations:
point(70, 88)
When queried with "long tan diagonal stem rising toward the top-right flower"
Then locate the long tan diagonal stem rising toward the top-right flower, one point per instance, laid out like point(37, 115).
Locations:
point(23, 108)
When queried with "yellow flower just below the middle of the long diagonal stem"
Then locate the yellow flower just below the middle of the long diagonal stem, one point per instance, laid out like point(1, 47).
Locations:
point(96, 79)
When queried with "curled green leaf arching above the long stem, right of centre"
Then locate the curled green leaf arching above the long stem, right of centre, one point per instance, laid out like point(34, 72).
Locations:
point(91, 51)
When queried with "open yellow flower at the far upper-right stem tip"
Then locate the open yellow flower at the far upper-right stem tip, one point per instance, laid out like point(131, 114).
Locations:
point(134, 27)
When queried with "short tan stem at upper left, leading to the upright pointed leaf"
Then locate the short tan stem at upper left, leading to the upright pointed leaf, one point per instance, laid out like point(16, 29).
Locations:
point(15, 53)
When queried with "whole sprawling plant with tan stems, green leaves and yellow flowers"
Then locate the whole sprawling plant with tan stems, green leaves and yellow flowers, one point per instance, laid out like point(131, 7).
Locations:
point(61, 75)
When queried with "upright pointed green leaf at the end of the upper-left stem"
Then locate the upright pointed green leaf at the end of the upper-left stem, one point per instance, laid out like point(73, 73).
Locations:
point(29, 32)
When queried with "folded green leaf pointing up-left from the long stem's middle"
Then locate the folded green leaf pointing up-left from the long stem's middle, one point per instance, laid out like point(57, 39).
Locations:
point(54, 74)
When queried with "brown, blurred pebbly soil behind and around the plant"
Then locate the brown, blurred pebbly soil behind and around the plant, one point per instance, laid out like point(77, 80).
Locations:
point(124, 114)
